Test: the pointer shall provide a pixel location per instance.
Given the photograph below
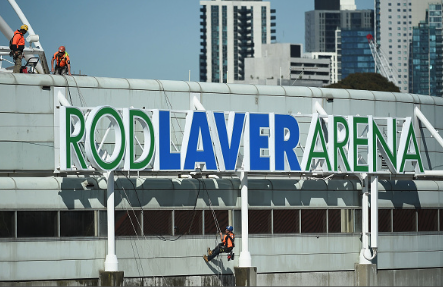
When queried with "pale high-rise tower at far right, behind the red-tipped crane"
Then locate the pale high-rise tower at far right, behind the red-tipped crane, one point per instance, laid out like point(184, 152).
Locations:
point(394, 23)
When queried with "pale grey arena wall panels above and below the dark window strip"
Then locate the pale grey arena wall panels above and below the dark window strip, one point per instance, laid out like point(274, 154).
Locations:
point(28, 181)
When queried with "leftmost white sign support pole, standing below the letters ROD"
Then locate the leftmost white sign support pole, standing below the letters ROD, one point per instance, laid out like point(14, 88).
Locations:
point(111, 262)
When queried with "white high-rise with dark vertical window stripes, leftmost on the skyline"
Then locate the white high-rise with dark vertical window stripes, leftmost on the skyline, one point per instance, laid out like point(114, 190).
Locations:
point(231, 32)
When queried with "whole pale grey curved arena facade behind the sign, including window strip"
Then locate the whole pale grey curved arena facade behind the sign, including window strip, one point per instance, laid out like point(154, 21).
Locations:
point(54, 223)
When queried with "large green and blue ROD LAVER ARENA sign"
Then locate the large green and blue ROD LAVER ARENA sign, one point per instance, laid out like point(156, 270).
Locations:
point(212, 141)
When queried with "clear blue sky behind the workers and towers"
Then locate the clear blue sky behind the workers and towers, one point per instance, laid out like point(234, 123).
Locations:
point(140, 39)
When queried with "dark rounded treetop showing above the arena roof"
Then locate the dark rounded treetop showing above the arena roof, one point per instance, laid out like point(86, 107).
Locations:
point(365, 81)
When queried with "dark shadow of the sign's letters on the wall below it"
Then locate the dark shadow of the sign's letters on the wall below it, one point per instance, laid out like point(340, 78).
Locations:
point(167, 192)
